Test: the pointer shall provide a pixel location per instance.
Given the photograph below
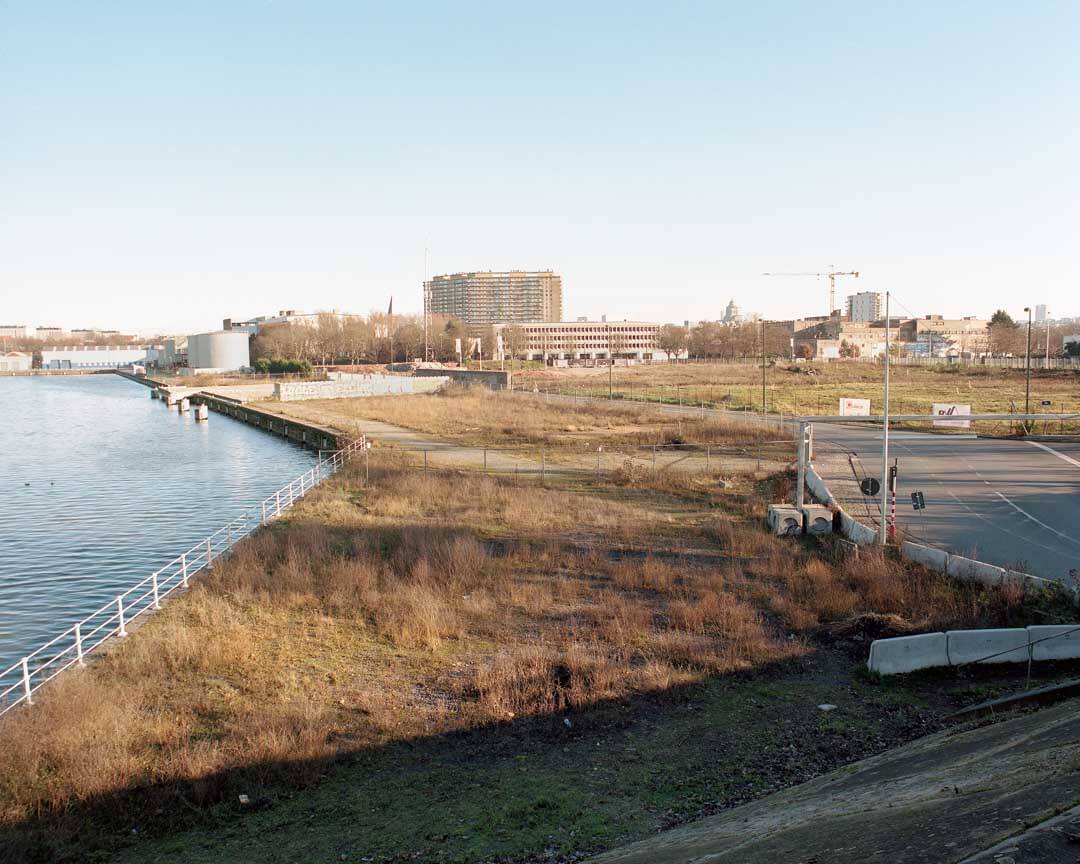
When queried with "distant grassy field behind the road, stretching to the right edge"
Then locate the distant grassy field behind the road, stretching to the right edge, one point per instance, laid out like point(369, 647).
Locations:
point(817, 388)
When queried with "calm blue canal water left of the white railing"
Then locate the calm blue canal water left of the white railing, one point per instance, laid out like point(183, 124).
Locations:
point(101, 485)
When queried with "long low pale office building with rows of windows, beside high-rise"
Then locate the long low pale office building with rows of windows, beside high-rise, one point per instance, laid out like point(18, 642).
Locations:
point(583, 340)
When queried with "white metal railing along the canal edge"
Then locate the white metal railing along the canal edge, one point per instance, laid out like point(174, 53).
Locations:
point(20, 682)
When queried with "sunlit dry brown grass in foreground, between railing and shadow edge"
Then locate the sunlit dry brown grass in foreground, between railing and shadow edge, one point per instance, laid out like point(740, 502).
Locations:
point(429, 603)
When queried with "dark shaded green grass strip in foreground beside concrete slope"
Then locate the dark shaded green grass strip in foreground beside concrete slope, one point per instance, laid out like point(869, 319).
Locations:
point(557, 785)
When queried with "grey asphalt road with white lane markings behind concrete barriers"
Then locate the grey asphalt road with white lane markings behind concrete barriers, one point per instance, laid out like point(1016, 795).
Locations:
point(1015, 504)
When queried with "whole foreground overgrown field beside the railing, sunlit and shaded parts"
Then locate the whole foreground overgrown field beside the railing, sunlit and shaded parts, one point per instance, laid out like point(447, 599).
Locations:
point(458, 668)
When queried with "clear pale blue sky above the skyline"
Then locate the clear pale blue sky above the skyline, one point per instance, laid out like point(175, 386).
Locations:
point(170, 165)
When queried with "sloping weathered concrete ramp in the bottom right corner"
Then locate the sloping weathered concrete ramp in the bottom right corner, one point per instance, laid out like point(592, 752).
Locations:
point(942, 799)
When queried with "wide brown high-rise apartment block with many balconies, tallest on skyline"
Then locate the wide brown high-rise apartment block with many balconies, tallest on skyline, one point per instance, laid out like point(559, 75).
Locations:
point(511, 298)
